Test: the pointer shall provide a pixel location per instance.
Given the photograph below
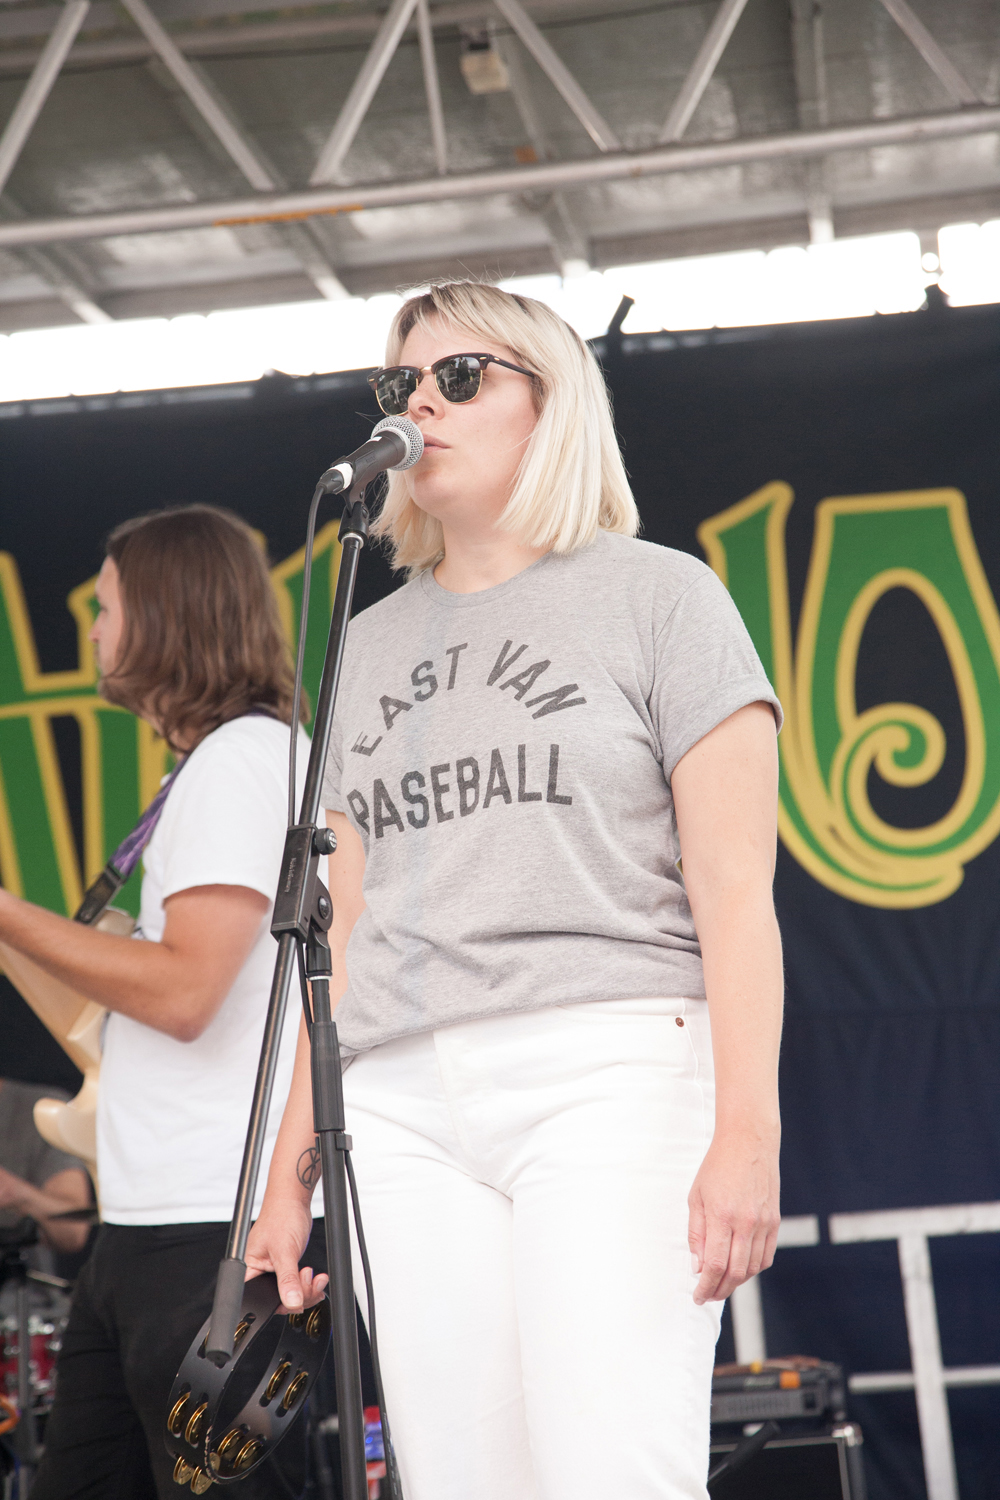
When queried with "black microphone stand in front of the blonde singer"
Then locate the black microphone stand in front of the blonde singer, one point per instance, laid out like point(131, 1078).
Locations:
point(302, 917)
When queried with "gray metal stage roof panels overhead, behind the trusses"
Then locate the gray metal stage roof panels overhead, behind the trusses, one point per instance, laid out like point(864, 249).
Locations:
point(121, 133)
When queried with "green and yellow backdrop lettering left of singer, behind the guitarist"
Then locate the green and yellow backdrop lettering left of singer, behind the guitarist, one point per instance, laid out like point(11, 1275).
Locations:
point(122, 761)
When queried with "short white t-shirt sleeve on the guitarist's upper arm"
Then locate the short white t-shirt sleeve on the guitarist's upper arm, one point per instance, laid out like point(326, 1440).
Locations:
point(215, 832)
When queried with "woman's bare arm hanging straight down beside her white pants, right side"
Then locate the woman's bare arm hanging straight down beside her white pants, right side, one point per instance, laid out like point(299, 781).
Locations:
point(726, 796)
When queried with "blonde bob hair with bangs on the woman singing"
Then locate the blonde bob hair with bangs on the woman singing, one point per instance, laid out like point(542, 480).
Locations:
point(572, 481)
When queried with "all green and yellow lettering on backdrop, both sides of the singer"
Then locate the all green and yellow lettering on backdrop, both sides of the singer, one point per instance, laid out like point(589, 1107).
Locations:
point(863, 548)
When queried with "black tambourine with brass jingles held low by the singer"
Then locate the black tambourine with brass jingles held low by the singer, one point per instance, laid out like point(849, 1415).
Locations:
point(223, 1424)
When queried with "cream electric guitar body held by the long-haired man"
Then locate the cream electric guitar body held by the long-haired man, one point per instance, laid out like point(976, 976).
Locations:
point(76, 1024)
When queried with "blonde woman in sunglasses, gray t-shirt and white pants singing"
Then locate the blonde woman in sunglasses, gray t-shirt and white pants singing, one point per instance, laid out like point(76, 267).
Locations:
point(561, 1052)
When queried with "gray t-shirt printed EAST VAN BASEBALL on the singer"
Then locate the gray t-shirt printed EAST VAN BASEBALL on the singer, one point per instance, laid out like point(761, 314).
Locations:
point(509, 760)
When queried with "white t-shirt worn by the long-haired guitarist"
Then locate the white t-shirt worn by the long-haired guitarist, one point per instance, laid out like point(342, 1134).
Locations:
point(172, 1115)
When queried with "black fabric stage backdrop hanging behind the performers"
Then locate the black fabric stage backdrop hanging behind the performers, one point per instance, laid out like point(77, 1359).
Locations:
point(888, 872)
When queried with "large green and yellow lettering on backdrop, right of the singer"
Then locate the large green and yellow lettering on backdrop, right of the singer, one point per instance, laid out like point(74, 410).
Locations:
point(864, 547)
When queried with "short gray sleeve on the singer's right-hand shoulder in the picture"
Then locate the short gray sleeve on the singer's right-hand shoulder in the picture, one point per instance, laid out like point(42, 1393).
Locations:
point(705, 670)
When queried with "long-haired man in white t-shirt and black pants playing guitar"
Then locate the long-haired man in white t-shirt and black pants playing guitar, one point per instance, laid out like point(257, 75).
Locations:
point(187, 637)
